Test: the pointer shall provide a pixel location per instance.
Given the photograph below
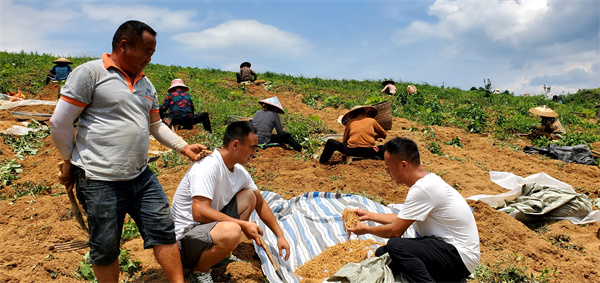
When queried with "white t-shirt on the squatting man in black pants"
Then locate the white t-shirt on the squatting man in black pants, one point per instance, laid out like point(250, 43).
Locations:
point(441, 212)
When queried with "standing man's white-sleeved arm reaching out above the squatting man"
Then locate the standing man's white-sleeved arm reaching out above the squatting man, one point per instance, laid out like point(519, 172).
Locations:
point(164, 135)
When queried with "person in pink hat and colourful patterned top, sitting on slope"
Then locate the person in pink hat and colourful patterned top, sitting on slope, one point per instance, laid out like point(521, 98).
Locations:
point(178, 108)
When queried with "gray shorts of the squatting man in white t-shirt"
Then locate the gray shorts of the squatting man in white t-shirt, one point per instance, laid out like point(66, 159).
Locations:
point(196, 237)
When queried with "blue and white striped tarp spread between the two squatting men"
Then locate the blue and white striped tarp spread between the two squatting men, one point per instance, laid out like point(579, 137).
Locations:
point(311, 223)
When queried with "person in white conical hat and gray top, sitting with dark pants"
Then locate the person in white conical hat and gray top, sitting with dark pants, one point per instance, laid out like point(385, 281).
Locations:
point(267, 119)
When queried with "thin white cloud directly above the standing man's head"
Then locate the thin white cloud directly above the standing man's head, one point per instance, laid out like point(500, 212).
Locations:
point(164, 18)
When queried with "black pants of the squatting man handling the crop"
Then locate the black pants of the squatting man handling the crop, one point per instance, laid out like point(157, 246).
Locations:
point(425, 259)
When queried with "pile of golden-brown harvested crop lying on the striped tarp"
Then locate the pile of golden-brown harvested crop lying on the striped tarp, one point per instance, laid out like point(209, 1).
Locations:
point(333, 258)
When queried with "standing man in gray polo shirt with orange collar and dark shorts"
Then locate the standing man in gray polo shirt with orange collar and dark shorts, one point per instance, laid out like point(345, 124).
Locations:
point(117, 108)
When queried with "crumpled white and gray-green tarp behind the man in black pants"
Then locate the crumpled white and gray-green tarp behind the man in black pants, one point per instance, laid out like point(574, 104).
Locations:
point(538, 199)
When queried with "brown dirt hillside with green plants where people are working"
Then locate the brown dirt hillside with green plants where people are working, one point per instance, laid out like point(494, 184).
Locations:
point(550, 251)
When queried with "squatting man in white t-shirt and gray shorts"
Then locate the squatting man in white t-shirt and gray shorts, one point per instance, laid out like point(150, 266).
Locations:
point(214, 200)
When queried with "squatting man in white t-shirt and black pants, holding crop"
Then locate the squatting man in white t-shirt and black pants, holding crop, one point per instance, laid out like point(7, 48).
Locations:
point(448, 247)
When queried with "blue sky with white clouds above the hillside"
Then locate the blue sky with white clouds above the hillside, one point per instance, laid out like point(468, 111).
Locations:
point(519, 45)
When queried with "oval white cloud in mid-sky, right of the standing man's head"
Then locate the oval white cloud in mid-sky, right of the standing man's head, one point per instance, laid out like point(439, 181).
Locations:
point(244, 37)
